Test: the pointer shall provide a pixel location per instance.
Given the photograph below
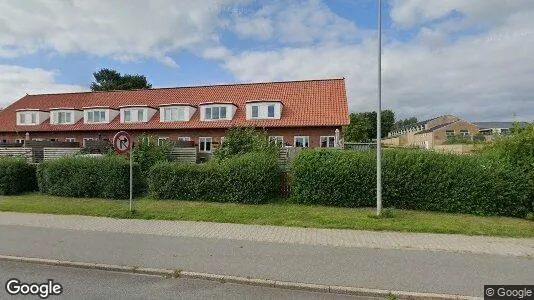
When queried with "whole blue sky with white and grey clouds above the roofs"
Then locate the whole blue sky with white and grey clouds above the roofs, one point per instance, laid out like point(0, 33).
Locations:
point(470, 58)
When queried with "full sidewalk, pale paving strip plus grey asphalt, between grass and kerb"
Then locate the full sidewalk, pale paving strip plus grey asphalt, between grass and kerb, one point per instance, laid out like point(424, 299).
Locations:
point(317, 256)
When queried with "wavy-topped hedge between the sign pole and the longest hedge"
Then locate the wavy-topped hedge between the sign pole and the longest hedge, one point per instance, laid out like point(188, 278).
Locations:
point(247, 178)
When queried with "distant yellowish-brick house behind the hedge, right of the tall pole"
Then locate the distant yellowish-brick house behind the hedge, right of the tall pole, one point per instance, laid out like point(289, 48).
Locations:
point(430, 133)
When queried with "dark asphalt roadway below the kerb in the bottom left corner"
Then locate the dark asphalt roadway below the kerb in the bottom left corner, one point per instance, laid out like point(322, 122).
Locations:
point(96, 284)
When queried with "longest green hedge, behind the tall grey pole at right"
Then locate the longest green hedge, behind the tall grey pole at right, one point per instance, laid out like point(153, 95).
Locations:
point(419, 180)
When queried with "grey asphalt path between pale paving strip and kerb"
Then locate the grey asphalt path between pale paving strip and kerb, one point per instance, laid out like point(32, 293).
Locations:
point(400, 270)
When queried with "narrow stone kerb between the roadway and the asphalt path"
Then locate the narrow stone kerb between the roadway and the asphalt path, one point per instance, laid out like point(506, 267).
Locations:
point(239, 280)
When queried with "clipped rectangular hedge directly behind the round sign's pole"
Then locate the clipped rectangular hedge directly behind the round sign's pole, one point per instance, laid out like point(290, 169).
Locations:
point(102, 177)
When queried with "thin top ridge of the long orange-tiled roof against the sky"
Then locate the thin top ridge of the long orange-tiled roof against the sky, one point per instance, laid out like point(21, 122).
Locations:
point(190, 86)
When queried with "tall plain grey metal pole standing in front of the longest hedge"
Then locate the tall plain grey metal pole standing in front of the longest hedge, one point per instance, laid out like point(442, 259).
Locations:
point(379, 118)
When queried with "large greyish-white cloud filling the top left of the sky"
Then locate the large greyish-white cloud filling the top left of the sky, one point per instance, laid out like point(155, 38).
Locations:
point(122, 29)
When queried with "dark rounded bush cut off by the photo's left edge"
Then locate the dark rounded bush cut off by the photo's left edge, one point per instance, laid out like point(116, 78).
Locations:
point(16, 176)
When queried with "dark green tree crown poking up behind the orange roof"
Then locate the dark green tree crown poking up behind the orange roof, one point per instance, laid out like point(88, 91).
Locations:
point(108, 79)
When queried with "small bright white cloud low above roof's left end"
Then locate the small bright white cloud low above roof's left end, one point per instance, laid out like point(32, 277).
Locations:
point(16, 81)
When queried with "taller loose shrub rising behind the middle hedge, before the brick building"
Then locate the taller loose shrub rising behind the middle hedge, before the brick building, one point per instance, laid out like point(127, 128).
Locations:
point(241, 140)
